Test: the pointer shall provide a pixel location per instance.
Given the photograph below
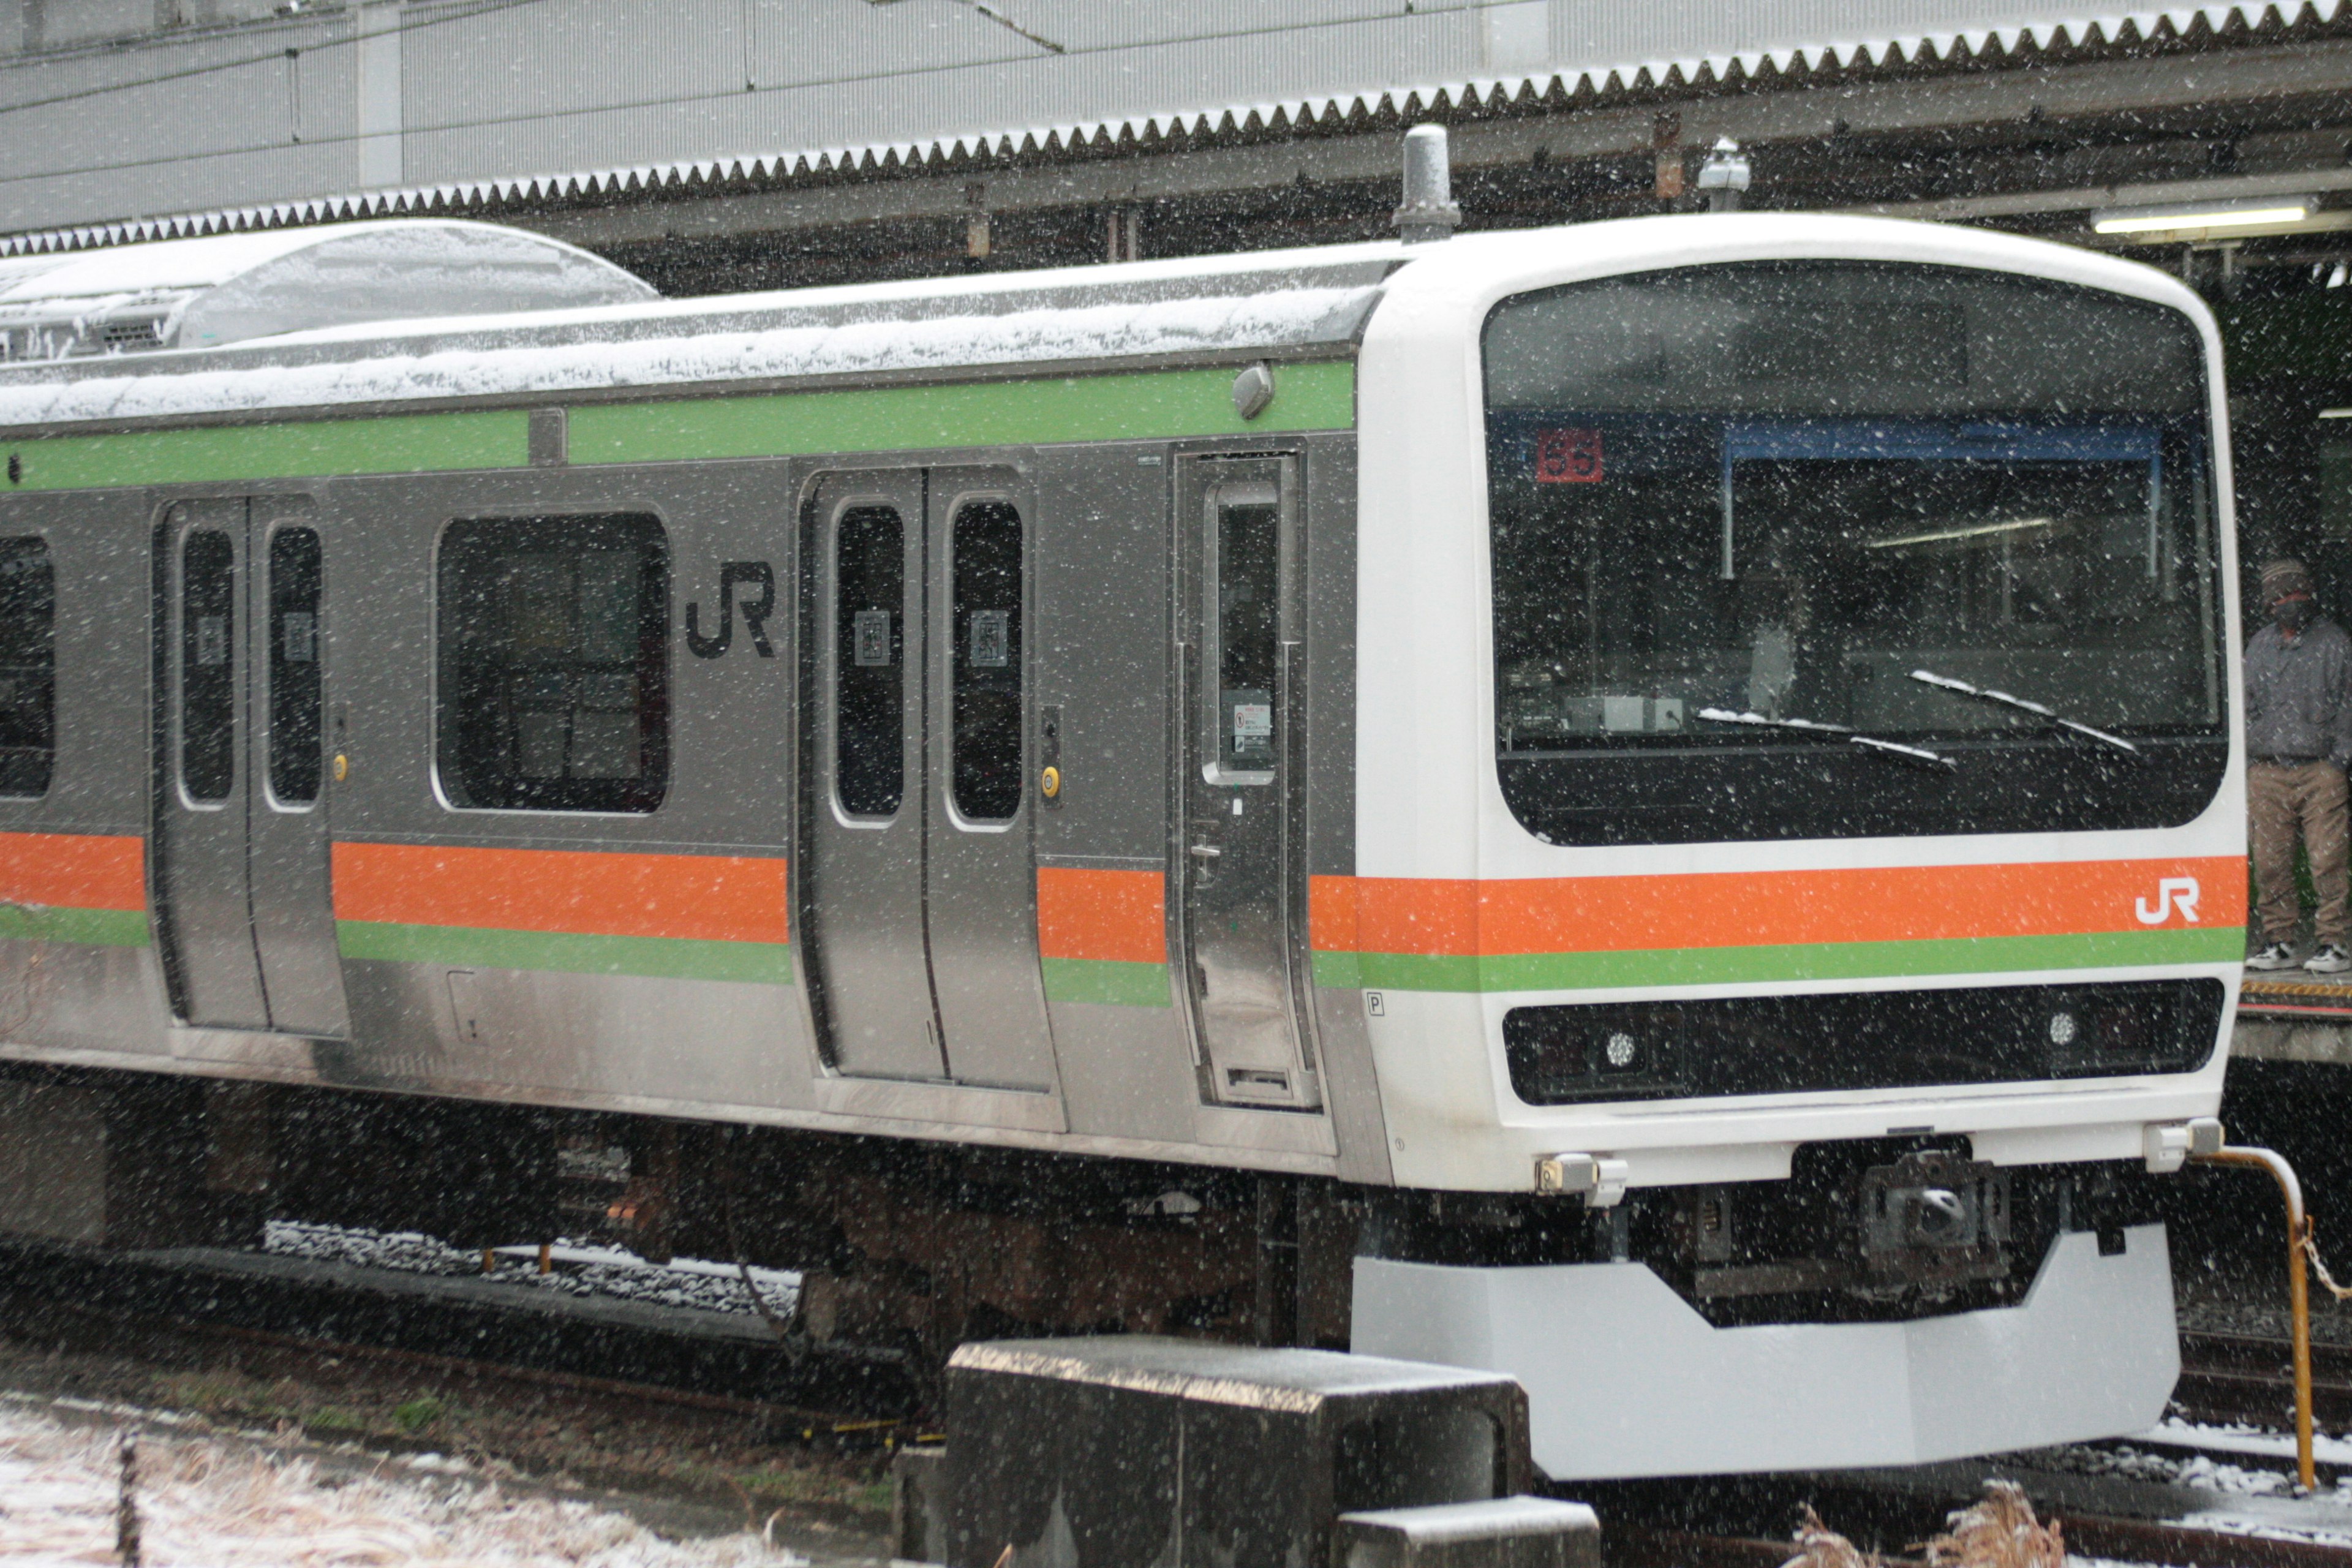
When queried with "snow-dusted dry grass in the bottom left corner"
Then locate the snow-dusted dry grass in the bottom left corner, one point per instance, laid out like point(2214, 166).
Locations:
point(211, 1503)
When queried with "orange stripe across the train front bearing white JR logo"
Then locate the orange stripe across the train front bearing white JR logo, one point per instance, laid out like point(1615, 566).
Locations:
point(1469, 918)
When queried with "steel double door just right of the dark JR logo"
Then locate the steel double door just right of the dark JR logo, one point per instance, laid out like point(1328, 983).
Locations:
point(918, 873)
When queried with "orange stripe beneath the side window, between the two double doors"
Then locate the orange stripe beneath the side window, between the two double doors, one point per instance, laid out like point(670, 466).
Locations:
point(719, 899)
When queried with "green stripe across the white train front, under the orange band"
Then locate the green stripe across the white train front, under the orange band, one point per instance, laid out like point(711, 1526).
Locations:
point(1535, 972)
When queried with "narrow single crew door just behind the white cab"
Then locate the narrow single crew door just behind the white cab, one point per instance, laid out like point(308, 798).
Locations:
point(1238, 859)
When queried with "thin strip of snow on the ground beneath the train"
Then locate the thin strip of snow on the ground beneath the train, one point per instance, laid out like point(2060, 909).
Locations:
point(580, 1271)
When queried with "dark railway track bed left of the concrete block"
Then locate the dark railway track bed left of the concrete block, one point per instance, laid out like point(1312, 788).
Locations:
point(540, 1386)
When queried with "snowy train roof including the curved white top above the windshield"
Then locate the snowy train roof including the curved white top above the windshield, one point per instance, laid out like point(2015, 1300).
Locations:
point(1196, 309)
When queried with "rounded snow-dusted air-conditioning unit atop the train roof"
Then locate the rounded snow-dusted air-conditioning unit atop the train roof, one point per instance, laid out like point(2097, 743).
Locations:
point(236, 288)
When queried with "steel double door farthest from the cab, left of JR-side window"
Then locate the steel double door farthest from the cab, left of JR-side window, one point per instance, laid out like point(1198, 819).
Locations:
point(243, 904)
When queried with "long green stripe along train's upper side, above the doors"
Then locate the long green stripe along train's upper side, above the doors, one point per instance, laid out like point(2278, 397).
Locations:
point(1144, 406)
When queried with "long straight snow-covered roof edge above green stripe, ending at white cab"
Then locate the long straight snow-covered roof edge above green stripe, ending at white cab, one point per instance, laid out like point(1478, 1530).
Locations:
point(1151, 309)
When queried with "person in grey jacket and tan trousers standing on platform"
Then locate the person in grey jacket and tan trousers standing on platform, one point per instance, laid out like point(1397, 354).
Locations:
point(2299, 742)
